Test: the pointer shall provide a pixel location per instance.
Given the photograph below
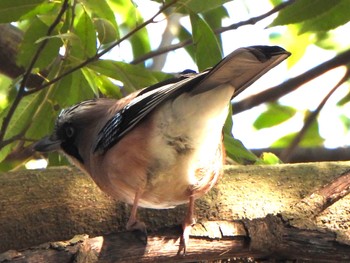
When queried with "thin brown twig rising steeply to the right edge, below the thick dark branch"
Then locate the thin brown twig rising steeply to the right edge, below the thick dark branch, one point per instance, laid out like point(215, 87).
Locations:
point(286, 154)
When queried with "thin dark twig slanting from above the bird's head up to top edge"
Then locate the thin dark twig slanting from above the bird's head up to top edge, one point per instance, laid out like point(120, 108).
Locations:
point(100, 54)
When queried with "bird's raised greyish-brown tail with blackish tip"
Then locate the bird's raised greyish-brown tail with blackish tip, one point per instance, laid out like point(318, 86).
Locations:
point(242, 67)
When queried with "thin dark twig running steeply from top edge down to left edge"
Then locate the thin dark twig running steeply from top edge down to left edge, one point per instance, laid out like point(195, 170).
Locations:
point(21, 91)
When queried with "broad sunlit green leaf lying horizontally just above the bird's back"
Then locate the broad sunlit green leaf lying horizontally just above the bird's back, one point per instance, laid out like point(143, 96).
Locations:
point(133, 77)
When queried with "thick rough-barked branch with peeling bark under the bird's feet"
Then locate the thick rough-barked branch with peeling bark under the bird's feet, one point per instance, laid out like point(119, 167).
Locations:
point(299, 211)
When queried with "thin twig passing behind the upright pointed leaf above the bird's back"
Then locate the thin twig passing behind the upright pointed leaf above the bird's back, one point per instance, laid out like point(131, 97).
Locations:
point(187, 42)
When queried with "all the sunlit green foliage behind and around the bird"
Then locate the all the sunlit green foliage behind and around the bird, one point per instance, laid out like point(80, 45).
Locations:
point(66, 43)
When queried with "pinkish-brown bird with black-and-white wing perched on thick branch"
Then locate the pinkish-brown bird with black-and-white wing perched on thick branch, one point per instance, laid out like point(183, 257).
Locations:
point(160, 146)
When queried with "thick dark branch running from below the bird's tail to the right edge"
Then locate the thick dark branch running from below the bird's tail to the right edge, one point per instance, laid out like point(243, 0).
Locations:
point(274, 93)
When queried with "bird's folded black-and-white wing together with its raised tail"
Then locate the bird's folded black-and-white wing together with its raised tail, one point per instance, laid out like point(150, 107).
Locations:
point(240, 69)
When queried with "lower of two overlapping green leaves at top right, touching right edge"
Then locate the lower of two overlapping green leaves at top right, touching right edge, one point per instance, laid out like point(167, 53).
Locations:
point(336, 16)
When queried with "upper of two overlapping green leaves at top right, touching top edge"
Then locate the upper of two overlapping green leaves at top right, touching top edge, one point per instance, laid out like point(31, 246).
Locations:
point(303, 10)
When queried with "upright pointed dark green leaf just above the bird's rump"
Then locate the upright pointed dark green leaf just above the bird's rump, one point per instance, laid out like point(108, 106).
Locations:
point(207, 48)
